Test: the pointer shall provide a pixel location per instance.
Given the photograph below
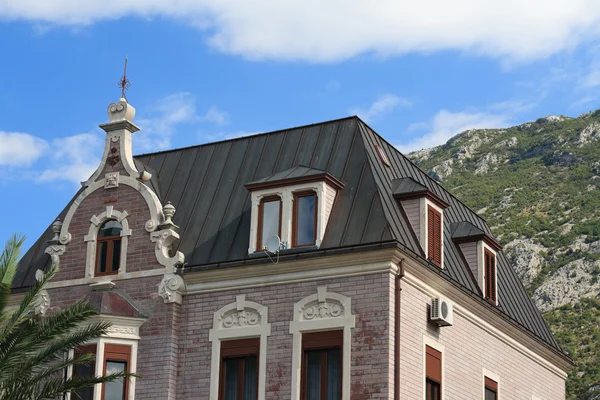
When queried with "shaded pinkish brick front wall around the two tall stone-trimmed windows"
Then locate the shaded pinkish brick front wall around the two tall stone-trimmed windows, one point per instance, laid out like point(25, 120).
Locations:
point(372, 346)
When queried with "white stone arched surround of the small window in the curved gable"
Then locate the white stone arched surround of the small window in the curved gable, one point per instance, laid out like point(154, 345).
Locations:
point(91, 239)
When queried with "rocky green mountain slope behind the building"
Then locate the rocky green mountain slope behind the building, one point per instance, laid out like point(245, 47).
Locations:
point(538, 186)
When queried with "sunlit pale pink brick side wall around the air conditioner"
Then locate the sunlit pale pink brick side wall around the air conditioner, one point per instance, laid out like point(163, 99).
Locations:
point(468, 349)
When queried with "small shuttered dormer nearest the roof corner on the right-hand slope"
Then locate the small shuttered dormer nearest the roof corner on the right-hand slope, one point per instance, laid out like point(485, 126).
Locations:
point(424, 211)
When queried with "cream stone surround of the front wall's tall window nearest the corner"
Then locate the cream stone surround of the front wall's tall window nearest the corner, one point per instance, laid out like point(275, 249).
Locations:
point(323, 311)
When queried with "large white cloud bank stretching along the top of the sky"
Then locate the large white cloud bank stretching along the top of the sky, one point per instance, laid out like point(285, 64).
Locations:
point(334, 30)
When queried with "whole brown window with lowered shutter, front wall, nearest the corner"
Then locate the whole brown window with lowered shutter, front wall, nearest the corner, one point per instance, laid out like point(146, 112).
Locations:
point(322, 365)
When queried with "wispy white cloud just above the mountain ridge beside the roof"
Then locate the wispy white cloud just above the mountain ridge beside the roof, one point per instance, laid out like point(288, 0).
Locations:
point(445, 124)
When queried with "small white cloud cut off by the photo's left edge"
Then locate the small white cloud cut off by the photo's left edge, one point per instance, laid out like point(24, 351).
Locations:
point(20, 149)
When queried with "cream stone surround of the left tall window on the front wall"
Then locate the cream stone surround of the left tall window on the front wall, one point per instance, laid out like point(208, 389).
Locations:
point(239, 320)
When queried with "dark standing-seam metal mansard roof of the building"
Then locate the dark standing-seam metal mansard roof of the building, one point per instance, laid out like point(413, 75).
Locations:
point(206, 185)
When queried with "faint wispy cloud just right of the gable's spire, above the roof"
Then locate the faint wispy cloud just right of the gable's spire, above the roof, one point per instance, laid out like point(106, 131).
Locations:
point(168, 113)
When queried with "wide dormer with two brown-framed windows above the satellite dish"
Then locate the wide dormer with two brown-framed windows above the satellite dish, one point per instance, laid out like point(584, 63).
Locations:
point(293, 205)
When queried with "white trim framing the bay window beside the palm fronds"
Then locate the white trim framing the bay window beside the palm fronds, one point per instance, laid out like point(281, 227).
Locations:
point(124, 331)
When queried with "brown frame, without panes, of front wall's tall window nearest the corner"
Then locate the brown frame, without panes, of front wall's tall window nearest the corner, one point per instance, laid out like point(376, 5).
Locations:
point(321, 341)
